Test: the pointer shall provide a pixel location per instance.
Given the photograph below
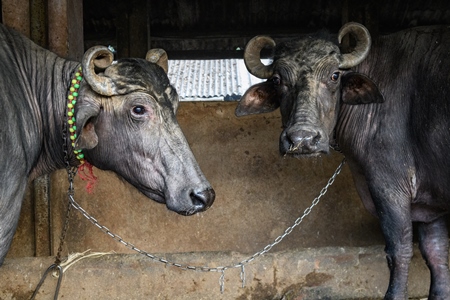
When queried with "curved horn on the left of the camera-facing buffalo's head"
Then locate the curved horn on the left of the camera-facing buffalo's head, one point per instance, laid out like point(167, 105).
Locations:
point(252, 56)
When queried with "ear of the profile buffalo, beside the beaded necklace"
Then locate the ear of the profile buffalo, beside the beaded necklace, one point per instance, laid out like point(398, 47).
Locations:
point(87, 137)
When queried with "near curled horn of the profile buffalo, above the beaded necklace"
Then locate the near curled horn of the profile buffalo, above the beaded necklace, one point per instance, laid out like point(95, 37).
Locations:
point(98, 57)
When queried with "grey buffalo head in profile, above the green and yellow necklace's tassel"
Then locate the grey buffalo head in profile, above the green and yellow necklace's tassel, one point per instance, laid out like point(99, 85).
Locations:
point(126, 116)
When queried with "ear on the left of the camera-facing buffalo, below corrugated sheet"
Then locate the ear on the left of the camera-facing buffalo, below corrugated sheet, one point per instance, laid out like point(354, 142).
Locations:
point(259, 98)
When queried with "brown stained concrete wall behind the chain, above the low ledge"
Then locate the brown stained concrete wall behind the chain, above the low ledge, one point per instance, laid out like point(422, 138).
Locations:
point(259, 194)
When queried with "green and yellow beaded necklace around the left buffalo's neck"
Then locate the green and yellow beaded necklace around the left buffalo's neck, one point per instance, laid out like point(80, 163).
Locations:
point(72, 100)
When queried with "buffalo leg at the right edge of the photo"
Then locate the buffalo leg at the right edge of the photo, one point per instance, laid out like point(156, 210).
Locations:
point(433, 243)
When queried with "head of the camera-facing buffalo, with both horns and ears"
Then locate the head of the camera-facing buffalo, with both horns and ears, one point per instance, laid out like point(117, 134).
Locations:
point(308, 80)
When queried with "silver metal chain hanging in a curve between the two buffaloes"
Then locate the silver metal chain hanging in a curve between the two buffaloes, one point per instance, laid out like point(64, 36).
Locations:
point(221, 269)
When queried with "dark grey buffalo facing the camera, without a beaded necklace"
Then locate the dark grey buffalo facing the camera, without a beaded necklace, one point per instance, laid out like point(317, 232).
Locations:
point(386, 104)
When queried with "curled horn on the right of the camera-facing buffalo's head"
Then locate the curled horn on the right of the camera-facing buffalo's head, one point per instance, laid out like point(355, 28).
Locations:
point(363, 43)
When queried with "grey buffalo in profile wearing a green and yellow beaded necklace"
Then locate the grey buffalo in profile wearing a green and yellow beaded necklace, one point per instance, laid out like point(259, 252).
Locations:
point(126, 123)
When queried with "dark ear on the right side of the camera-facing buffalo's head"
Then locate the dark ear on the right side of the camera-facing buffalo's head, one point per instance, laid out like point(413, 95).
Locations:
point(359, 89)
